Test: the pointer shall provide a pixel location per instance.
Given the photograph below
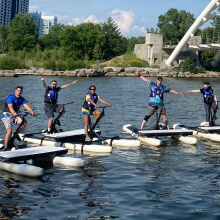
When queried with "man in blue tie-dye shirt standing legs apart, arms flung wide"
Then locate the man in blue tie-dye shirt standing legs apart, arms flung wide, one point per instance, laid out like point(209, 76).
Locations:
point(156, 99)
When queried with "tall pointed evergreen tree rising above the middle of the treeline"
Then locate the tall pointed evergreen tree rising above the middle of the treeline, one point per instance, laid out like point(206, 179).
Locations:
point(114, 43)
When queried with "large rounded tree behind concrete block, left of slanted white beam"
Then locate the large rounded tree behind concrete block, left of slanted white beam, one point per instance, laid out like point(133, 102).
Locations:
point(174, 24)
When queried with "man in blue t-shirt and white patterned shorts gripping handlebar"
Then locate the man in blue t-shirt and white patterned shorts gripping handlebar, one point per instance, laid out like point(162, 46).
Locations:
point(10, 114)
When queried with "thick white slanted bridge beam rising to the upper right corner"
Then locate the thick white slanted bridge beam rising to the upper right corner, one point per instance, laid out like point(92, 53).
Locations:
point(203, 18)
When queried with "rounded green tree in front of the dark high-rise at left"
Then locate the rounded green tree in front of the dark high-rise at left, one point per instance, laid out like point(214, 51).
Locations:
point(22, 33)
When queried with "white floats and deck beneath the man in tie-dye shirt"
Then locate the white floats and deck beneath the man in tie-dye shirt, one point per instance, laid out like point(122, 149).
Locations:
point(145, 136)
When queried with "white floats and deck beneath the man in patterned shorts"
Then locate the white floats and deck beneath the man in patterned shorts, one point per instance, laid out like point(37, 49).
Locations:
point(15, 161)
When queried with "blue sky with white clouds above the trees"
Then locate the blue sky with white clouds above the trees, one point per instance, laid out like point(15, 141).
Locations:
point(132, 17)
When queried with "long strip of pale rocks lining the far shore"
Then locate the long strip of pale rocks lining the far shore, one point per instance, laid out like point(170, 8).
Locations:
point(107, 71)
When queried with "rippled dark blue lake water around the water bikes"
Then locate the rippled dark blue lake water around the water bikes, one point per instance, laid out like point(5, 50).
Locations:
point(173, 181)
